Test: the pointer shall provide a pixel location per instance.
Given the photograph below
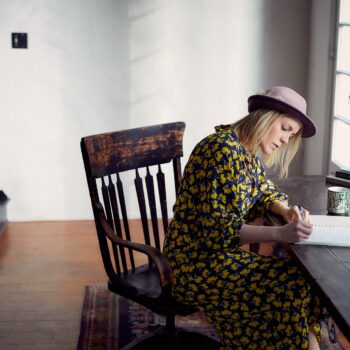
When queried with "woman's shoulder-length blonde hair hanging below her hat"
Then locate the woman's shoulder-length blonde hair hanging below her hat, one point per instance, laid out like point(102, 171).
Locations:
point(251, 130)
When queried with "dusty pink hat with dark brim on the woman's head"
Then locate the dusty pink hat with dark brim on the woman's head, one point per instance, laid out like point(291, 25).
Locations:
point(285, 100)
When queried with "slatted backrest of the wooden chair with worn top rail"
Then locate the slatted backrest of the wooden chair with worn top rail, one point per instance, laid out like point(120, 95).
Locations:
point(140, 150)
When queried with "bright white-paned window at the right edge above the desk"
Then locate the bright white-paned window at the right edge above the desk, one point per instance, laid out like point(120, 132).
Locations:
point(340, 151)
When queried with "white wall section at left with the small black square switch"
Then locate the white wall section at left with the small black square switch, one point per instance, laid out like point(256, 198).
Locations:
point(72, 81)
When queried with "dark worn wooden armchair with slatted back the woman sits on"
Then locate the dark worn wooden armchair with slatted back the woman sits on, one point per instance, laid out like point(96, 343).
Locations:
point(107, 158)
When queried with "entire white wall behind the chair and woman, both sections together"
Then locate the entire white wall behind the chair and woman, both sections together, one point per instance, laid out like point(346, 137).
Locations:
point(95, 66)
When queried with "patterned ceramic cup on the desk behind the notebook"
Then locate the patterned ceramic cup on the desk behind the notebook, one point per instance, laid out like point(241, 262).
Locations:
point(338, 201)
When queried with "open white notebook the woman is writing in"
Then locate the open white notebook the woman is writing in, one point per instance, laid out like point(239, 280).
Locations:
point(329, 230)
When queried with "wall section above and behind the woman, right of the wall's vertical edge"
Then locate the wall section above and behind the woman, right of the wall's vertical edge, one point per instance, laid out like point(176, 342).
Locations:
point(199, 60)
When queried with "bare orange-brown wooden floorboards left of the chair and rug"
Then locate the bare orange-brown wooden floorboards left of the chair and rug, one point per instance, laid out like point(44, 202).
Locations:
point(44, 267)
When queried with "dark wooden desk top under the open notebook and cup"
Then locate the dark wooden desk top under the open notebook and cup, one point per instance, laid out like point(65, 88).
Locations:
point(326, 268)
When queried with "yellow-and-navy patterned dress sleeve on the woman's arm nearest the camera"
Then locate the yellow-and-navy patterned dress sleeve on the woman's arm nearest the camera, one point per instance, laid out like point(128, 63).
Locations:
point(219, 206)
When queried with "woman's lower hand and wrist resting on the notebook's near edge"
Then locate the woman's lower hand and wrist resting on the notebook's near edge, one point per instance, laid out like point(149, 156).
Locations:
point(294, 231)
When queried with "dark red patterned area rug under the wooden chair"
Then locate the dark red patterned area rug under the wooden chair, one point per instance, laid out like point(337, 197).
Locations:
point(109, 321)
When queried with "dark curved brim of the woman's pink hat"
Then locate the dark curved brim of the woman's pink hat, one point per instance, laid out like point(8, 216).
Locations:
point(256, 102)
